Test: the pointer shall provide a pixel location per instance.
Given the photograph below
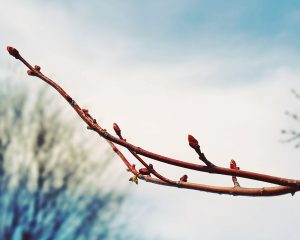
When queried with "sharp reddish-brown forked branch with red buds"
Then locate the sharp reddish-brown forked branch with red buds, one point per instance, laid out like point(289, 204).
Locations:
point(284, 185)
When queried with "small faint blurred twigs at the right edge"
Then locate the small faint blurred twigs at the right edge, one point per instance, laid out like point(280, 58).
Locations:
point(292, 135)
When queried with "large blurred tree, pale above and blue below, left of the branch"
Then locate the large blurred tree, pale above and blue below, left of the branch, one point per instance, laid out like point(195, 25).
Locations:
point(47, 181)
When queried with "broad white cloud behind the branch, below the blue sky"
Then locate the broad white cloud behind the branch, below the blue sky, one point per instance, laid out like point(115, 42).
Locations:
point(158, 103)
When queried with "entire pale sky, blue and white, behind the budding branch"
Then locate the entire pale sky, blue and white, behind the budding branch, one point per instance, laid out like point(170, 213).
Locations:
point(220, 70)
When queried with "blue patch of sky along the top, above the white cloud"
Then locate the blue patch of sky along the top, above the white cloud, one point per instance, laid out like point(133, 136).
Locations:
point(195, 25)
